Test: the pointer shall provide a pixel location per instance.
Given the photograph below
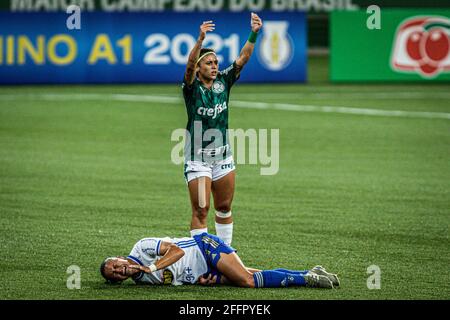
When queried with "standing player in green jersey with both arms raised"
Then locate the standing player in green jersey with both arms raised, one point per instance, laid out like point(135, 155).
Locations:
point(209, 165)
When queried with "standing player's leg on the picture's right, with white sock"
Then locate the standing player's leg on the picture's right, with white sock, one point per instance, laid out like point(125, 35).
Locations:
point(223, 192)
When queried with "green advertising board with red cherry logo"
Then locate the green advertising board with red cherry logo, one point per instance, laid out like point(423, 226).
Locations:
point(408, 45)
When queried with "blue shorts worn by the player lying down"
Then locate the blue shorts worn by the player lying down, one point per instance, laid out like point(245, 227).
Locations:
point(212, 246)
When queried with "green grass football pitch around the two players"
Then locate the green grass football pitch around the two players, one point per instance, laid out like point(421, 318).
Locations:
point(85, 172)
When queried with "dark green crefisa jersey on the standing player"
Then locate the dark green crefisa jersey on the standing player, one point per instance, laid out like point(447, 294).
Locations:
point(207, 111)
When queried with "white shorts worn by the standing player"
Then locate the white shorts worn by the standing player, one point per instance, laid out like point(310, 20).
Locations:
point(214, 170)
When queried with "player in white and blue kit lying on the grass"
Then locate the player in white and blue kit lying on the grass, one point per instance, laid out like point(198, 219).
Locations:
point(204, 259)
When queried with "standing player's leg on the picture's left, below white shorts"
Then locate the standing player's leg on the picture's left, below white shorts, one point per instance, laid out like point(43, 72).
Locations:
point(199, 193)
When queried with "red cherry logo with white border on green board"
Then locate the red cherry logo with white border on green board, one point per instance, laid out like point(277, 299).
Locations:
point(422, 45)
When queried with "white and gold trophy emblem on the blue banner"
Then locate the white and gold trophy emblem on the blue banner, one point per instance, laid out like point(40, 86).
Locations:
point(276, 47)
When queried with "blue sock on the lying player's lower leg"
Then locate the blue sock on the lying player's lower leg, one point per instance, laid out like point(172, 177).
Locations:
point(277, 279)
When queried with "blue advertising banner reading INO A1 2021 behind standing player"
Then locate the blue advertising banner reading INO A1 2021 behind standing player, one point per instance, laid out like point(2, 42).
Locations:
point(144, 47)
